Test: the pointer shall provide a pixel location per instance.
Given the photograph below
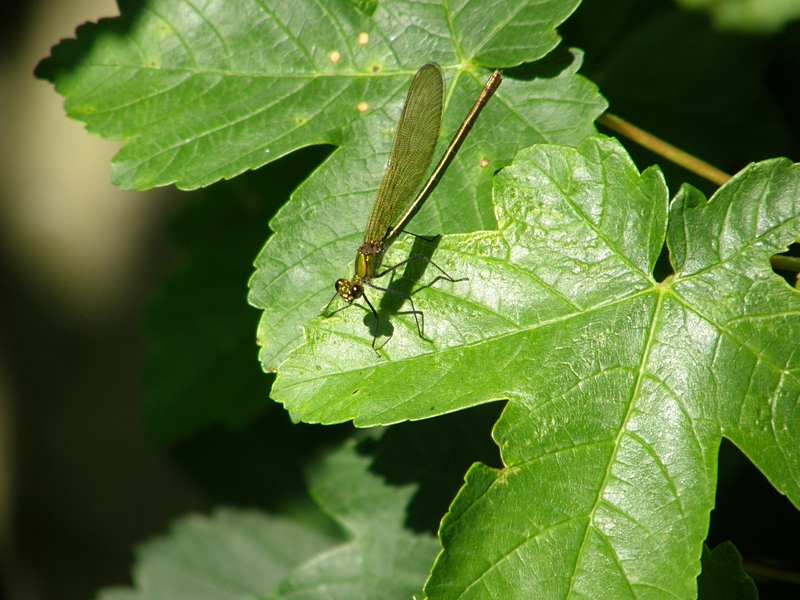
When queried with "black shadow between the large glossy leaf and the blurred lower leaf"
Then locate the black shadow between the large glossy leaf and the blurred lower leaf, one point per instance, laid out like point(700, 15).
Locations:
point(435, 454)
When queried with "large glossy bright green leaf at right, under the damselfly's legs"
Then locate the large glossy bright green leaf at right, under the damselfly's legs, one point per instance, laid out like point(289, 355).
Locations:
point(620, 386)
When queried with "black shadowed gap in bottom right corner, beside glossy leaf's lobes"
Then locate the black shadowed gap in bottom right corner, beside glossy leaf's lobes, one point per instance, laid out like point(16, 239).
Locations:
point(763, 524)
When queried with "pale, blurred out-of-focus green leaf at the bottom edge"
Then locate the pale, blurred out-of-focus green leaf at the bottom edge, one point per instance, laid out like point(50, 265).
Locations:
point(236, 554)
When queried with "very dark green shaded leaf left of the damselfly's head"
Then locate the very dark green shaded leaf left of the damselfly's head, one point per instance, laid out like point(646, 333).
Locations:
point(202, 365)
